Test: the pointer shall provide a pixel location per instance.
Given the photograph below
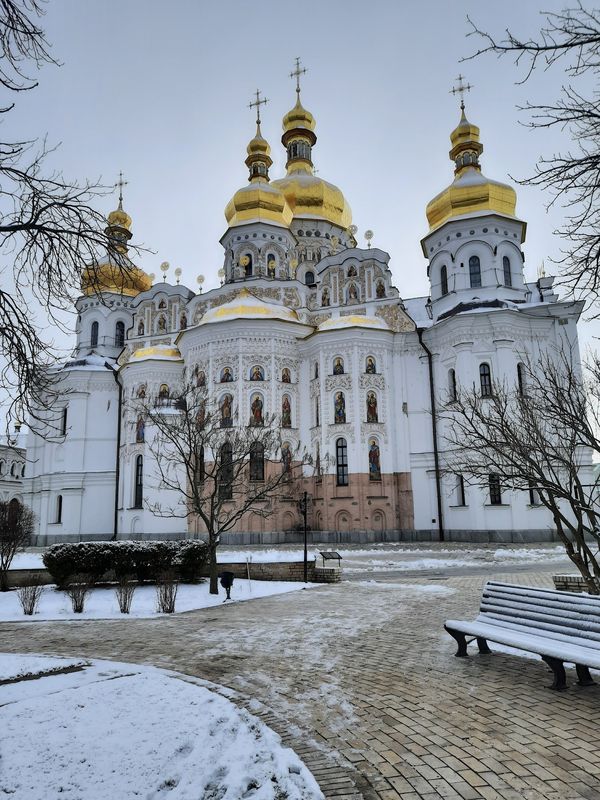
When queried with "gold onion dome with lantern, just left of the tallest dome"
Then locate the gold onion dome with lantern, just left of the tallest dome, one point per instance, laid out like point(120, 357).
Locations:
point(259, 200)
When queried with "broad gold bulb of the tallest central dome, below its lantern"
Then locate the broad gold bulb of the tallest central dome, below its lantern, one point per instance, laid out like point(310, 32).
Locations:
point(313, 197)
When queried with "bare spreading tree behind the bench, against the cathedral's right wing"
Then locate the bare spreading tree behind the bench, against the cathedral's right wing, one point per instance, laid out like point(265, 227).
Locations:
point(539, 437)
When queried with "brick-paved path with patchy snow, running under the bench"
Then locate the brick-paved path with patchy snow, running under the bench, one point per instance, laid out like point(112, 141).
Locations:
point(361, 681)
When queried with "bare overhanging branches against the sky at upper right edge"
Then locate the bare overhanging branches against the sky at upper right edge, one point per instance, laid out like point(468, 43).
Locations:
point(569, 39)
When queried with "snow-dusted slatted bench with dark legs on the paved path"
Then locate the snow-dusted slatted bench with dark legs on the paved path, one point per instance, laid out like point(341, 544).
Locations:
point(561, 627)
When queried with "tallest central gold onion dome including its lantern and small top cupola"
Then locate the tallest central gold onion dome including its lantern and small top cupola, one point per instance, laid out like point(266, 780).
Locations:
point(308, 195)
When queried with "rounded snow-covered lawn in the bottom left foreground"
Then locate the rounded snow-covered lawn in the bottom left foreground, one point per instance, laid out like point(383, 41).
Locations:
point(125, 731)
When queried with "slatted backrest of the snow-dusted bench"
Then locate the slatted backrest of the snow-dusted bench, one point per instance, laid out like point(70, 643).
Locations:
point(541, 610)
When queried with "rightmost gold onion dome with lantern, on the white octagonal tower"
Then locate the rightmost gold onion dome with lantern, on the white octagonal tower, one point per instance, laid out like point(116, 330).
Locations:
point(470, 192)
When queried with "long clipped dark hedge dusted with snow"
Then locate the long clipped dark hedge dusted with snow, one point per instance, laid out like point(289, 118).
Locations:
point(116, 560)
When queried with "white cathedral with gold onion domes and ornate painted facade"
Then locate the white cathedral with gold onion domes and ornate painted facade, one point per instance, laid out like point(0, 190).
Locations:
point(307, 327)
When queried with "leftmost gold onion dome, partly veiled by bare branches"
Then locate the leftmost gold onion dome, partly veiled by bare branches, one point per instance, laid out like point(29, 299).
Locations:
point(117, 274)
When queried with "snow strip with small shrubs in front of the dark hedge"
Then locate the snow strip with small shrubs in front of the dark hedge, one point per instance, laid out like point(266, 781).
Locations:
point(102, 602)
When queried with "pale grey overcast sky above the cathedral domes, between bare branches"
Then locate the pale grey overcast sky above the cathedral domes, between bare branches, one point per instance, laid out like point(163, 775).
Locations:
point(160, 90)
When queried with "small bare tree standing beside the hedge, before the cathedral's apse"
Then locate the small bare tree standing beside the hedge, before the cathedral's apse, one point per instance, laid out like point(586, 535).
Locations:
point(222, 468)
